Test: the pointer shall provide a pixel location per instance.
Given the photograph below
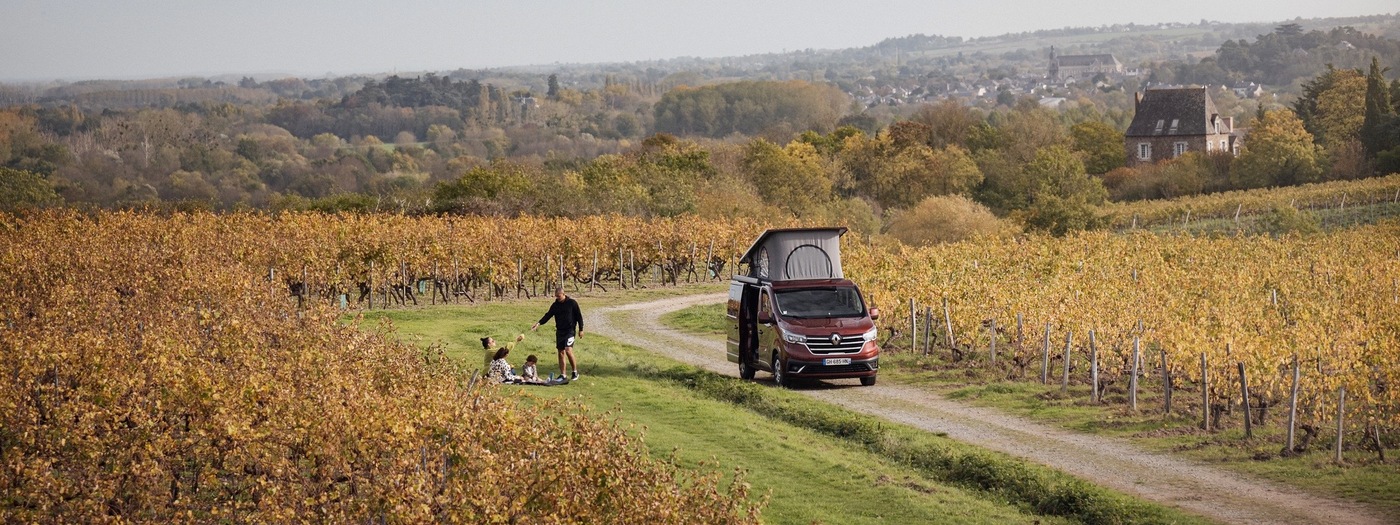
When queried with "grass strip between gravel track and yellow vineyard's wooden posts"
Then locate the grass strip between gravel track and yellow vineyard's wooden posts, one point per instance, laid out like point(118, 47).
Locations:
point(1363, 479)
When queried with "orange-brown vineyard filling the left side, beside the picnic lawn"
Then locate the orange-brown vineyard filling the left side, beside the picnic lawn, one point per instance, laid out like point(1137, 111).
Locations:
point(150, 373)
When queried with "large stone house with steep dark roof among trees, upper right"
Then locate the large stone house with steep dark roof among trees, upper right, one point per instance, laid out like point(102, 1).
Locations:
point(1170, 122)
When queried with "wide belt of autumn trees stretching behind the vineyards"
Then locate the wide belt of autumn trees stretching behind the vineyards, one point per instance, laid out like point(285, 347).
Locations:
point(793, 149)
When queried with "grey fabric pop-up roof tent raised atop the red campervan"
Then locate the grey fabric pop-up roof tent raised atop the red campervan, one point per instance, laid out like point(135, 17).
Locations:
point(796, 254)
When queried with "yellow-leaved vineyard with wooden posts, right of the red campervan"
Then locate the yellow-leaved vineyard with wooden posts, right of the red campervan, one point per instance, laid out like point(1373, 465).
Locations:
point(1205, 311)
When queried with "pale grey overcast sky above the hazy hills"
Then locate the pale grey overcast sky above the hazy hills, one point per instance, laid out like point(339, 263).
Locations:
point(78, 40)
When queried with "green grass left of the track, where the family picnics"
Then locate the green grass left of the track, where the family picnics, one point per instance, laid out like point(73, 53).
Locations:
point(817, 463)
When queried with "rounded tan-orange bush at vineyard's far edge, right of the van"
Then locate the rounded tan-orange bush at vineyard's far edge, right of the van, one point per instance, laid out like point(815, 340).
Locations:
point(944, 219)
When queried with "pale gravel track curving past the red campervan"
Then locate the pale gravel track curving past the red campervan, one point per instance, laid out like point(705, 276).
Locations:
point(1111, 463)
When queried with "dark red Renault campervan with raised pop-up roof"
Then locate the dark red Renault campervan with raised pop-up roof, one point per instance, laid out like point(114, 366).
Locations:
point(793, 313)
